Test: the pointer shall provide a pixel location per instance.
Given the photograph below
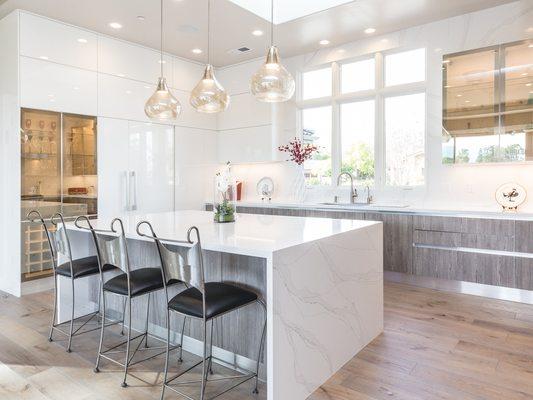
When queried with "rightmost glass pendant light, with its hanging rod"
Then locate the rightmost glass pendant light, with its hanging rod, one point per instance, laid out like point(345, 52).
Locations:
point(272, 83)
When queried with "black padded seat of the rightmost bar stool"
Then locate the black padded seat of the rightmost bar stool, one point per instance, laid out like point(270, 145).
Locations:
point(219, 298)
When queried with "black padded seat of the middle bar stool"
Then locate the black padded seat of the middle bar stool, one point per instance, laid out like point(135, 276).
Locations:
point(142, 281)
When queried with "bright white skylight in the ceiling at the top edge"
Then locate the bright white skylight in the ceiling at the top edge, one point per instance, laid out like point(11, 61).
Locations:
point(287, 10)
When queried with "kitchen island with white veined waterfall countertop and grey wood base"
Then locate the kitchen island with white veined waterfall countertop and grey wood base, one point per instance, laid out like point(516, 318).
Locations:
point(322, 280)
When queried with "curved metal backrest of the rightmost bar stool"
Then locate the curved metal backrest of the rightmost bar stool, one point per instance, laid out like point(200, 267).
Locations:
point(180, 260)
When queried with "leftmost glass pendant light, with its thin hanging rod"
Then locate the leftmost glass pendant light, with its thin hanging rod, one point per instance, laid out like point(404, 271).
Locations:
point(162, 105)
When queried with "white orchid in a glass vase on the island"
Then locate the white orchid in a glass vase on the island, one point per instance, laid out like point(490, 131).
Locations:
point(225, 193)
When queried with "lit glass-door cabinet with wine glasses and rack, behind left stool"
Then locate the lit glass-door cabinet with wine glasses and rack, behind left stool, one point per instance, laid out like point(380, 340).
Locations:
point(58, 174)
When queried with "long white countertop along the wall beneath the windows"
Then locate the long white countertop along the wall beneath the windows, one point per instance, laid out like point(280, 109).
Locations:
point(493, 212)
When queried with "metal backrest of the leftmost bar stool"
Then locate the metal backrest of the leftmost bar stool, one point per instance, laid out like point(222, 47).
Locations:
point(56, 235)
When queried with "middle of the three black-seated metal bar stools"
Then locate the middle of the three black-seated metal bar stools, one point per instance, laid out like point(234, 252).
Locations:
point(112, 250)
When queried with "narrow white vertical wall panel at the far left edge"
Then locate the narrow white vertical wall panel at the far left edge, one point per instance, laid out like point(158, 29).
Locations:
point(9, 150)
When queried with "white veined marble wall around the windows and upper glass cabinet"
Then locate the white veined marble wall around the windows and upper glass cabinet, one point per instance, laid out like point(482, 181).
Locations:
point(455, 186)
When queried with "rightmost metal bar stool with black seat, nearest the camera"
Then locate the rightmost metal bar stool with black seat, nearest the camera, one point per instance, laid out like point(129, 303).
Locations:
point(204, 301)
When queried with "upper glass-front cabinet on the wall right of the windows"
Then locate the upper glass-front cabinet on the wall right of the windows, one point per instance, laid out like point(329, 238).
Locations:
point(488, 105)
